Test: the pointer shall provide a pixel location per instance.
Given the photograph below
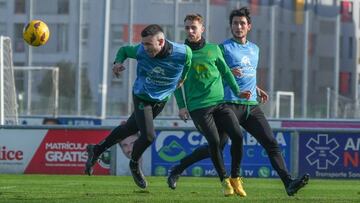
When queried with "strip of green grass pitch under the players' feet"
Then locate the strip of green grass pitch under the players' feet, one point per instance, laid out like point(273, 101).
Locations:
point(101, 189)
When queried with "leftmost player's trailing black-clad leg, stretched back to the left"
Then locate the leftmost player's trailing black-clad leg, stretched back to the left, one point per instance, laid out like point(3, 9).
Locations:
point(119, 133)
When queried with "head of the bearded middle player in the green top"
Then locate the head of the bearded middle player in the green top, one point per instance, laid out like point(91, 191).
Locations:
point(194, 27)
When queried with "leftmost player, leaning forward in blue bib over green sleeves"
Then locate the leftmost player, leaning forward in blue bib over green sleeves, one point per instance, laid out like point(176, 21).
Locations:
point(162, 66)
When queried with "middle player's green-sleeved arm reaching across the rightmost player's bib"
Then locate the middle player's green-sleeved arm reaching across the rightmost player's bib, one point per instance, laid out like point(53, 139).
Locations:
point(228, 76)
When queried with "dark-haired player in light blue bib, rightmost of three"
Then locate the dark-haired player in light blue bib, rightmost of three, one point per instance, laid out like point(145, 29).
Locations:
point(242, 57)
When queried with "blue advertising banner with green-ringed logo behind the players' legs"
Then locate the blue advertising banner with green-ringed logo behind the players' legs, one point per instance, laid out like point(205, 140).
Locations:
point(171, 146)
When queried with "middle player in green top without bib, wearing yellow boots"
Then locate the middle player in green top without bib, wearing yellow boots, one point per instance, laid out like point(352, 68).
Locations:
point(204, 96)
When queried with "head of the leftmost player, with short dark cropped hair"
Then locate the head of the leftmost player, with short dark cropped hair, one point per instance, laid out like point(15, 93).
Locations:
point(153, 39)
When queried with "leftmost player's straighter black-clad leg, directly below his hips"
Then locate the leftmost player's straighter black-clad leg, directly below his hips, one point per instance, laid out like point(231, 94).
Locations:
point(144, 112)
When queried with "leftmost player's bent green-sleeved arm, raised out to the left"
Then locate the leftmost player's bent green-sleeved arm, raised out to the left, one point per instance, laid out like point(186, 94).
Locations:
point(122, 54)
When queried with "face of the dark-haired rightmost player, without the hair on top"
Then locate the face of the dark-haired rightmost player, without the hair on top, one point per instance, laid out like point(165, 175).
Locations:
point(240, 27)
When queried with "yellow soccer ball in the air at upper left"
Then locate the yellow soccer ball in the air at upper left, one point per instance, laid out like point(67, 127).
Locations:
point(36, 33)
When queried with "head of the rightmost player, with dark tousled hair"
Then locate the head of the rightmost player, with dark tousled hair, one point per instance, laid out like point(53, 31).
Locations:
point(240, 22)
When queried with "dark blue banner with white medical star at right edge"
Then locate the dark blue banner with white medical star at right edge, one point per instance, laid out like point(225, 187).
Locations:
point(329, 155)
